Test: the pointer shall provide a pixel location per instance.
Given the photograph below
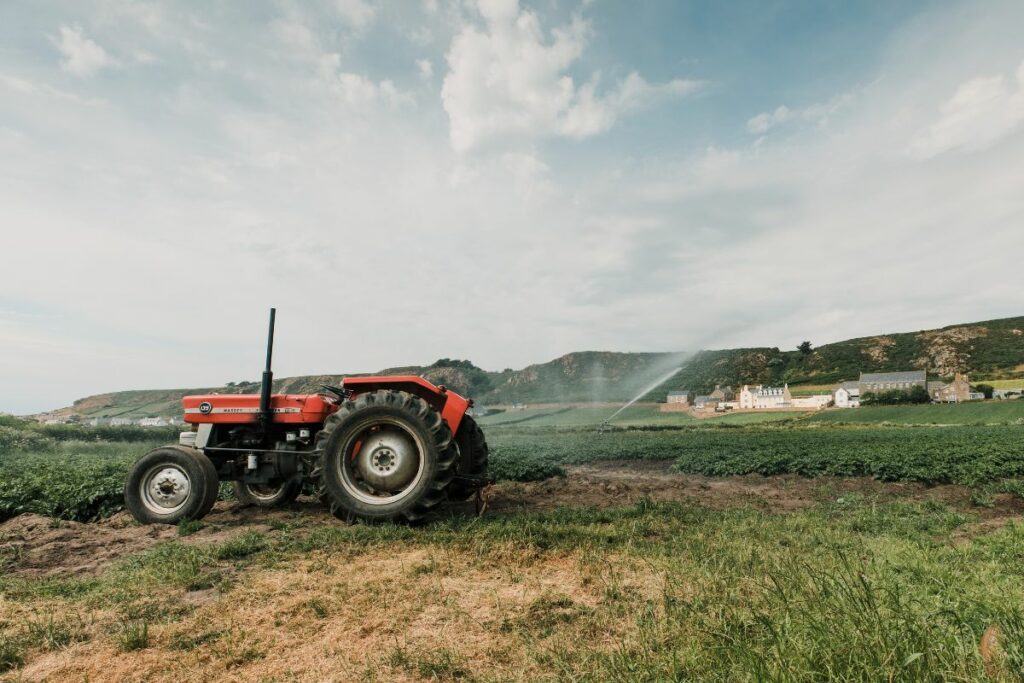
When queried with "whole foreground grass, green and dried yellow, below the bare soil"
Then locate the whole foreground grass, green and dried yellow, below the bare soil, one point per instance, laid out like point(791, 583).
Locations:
point(849, 590)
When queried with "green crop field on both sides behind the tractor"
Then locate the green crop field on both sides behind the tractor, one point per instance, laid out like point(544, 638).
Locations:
point(83, 480)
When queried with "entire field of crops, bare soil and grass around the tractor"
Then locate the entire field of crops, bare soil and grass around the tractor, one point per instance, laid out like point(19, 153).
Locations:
point(663, 548)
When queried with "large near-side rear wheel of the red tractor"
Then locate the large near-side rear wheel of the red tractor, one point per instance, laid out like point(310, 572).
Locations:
point(378, 484)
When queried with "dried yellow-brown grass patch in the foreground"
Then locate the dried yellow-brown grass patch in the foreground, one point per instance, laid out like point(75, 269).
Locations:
point(434, 613)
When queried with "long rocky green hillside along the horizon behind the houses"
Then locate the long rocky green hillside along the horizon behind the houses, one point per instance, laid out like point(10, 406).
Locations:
point(989, 350)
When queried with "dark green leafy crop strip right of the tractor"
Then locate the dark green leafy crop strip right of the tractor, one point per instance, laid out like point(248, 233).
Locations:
point(967, 455)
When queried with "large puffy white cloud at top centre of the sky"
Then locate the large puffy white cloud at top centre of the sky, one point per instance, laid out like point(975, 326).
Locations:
point(508, 79)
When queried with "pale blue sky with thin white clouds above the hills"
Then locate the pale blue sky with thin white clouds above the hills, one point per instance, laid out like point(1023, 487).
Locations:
point(496, 181)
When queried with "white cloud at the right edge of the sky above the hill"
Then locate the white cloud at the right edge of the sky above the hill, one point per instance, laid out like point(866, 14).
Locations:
point(983, 112)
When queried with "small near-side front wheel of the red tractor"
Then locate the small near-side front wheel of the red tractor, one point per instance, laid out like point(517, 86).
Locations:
point(172, 484)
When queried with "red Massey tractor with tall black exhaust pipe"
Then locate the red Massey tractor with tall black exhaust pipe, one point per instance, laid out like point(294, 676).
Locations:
point(377, 449)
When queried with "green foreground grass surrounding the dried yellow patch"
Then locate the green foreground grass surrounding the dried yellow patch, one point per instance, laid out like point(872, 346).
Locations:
point(854, 591)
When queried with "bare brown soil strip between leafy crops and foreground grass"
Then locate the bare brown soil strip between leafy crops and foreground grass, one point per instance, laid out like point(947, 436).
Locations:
point(36, 546)
